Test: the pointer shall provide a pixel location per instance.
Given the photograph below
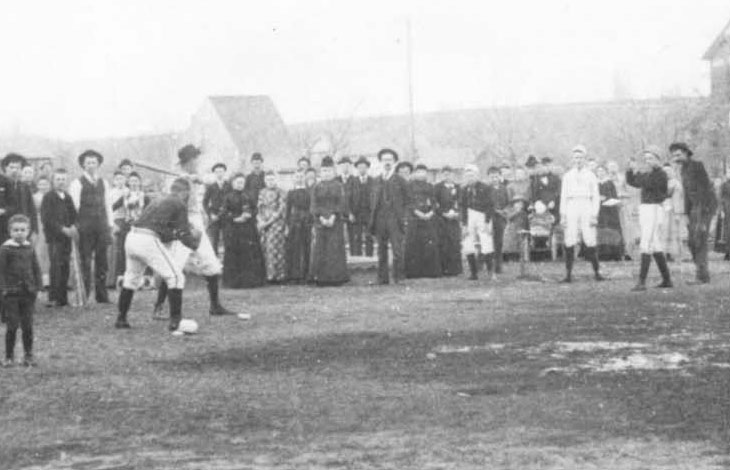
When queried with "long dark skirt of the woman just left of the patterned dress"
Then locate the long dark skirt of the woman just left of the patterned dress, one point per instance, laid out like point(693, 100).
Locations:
point(243, 260)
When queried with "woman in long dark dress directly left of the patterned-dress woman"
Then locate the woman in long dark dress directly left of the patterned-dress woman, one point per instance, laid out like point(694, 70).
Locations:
point(243, 261)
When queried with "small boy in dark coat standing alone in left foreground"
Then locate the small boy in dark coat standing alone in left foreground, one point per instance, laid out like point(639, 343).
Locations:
point(20, 281)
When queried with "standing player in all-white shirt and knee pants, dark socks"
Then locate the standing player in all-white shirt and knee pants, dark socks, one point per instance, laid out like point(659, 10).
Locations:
point(579, 207)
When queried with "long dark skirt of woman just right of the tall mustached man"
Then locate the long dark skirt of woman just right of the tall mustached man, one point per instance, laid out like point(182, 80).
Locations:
point(422, 249)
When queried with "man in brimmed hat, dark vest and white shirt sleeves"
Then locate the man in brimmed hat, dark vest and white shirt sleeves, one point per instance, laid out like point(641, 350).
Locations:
point(90, 194)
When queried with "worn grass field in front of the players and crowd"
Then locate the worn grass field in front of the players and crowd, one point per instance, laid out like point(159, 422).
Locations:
point(435, 374)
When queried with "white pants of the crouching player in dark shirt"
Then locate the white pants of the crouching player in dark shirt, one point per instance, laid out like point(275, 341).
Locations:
point(143, 248)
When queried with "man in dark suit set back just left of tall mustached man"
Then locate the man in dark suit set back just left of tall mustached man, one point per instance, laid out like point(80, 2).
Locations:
point(362, 186)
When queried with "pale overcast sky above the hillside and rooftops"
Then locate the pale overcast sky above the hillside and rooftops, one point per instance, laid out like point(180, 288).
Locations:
point(94, 68)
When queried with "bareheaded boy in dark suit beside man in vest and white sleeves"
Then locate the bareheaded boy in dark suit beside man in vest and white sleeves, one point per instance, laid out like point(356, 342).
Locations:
point(58, 215)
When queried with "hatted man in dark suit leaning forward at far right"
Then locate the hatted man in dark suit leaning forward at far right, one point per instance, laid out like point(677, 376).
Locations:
point(700, 204)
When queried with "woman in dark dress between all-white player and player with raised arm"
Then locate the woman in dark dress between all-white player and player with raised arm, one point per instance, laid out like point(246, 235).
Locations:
point(610, 238)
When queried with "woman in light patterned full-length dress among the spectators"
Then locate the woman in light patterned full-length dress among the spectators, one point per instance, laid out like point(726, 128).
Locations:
point(272, 227)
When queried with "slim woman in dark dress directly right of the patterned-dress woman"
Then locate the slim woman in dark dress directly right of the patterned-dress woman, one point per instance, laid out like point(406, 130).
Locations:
point(299, 222)
